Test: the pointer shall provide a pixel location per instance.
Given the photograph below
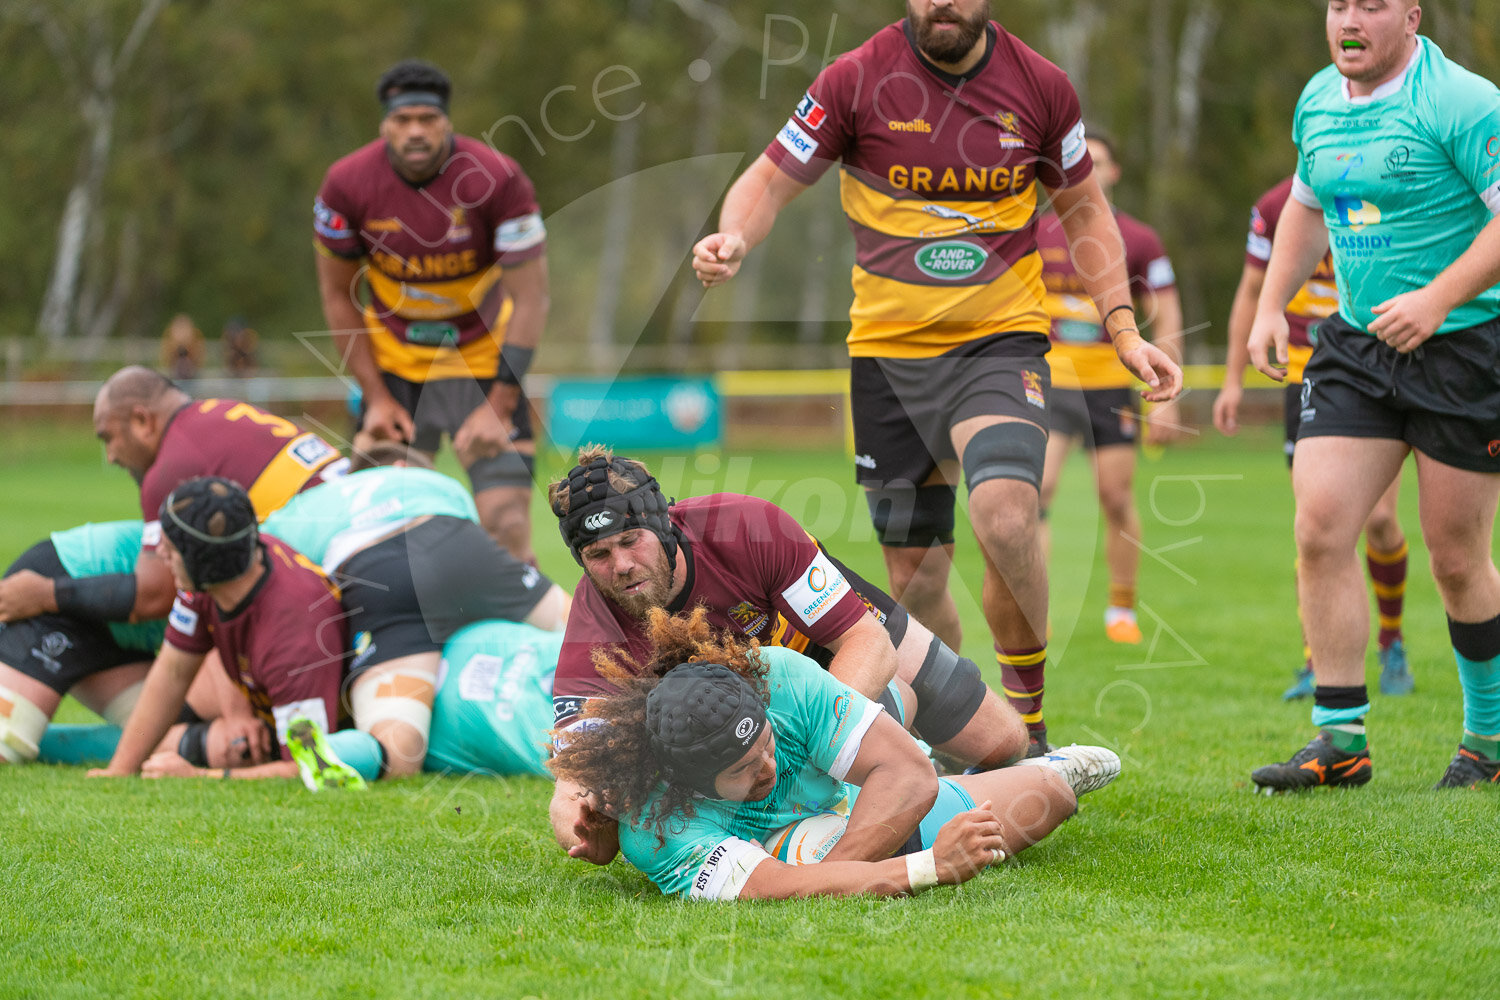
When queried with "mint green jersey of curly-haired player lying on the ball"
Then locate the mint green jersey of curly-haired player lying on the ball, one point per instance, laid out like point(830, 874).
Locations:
point(818, 725)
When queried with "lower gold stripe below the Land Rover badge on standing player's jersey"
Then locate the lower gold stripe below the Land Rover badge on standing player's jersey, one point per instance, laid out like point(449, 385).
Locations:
point(896, 320)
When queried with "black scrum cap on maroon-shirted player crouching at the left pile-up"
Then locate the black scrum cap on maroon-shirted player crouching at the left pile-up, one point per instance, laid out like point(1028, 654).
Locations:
point(212, 524)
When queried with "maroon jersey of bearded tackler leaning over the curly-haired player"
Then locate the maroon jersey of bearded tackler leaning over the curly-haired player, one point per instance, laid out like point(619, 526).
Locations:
point(749, 563)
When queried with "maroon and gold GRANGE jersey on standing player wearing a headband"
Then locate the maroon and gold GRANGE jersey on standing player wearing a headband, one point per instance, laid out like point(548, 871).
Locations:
point(436, 254)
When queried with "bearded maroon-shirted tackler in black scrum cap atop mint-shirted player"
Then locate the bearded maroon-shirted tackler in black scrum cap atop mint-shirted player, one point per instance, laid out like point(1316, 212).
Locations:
point(760, 575)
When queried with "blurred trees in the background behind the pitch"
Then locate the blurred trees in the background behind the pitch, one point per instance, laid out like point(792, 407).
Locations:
point(163, 155)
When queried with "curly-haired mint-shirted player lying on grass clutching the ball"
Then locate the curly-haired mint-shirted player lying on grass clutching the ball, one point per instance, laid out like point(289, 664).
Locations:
point(721, 743)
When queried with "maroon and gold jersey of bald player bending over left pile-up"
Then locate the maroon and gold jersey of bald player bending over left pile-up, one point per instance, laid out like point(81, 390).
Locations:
point(271, 457)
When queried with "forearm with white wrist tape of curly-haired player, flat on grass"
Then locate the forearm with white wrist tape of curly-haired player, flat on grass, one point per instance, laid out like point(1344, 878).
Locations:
point(965, 846)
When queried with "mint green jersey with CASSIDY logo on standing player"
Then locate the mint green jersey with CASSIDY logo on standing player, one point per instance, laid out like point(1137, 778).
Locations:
point(1406, 179)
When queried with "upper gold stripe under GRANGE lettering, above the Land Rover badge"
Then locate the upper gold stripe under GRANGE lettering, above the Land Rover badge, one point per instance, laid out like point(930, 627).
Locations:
point(922, 220)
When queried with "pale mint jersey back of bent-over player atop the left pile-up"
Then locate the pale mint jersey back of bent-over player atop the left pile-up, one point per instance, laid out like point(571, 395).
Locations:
point(328, 522)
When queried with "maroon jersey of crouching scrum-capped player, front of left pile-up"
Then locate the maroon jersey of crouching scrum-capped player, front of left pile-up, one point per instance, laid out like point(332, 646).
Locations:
point(284, 647)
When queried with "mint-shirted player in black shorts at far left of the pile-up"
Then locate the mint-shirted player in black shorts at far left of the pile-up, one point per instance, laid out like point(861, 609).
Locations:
point(47, 656)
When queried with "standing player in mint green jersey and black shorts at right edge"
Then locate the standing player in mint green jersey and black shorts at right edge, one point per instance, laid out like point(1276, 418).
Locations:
point(1399, 173)
